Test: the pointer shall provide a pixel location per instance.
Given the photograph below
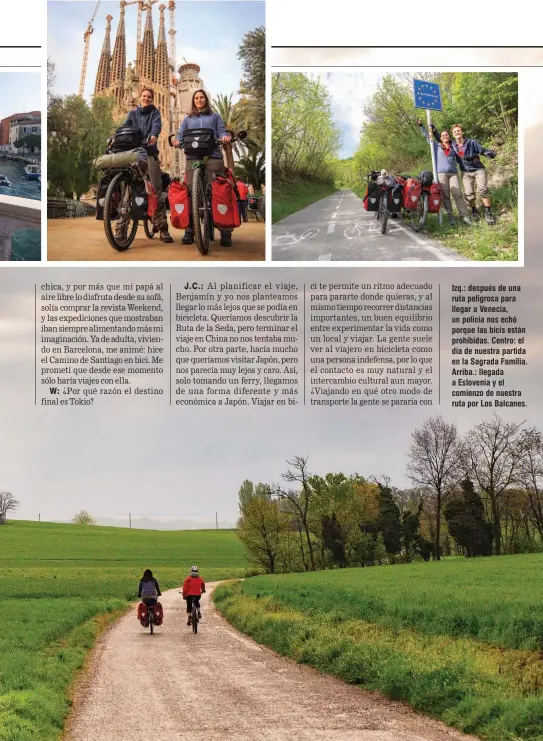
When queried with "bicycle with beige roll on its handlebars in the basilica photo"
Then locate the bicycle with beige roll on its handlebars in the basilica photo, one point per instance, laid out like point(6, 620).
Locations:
point(125, 194)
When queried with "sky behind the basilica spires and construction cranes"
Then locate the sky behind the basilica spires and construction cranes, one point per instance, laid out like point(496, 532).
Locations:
point(208, 33)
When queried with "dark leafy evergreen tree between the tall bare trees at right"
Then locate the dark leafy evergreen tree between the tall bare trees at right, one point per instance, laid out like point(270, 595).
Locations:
point(467, 523)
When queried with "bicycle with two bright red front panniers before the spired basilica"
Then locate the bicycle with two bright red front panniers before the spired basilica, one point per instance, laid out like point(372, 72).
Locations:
point(209, 203)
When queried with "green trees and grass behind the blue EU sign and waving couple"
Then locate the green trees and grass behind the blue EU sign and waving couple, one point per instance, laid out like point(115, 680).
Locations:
point(486, 105)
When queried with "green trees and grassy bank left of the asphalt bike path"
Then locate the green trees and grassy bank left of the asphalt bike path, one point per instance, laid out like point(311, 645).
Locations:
point(305, 143)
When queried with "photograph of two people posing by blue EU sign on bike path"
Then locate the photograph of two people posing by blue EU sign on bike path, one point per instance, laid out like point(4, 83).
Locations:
point(395, 167)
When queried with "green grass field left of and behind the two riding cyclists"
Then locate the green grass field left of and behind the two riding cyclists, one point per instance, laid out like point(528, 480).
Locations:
point(61, 585)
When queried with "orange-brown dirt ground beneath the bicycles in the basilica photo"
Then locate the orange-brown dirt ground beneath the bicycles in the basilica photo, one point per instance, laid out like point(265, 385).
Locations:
point(83, 238)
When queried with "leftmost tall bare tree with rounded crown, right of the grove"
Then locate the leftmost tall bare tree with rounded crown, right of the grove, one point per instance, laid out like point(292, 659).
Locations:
point(435, 460)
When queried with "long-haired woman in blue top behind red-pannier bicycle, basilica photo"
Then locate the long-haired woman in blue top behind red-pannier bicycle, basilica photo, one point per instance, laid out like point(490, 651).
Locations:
point(202, 117)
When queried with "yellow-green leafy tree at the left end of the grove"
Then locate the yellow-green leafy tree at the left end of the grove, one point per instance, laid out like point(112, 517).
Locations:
point(261, 529)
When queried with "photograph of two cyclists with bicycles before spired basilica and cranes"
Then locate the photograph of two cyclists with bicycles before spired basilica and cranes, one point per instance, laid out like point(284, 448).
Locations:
point(136, 138)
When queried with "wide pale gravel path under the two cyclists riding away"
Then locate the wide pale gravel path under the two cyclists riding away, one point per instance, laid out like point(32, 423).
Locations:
point(221, 686)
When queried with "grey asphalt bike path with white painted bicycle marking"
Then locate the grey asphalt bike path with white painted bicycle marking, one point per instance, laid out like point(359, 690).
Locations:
point(339, 228)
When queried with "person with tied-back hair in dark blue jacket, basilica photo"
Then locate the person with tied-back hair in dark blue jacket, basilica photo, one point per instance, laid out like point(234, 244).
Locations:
point(146, 117)
